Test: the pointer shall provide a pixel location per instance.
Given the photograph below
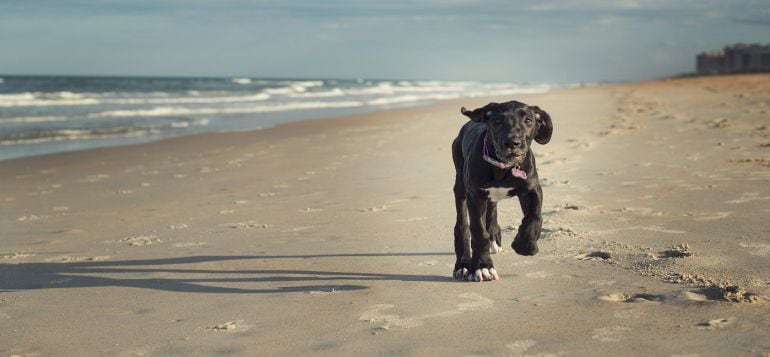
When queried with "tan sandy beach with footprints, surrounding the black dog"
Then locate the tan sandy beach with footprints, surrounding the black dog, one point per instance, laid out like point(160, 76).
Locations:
point(334, 237)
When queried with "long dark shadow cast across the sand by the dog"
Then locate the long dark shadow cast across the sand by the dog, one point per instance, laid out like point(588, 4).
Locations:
point(31, 276)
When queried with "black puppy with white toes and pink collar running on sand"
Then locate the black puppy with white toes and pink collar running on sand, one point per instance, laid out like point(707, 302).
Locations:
point(493, 161)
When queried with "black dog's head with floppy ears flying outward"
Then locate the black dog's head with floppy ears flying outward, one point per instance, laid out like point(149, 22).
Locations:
point(512, 126)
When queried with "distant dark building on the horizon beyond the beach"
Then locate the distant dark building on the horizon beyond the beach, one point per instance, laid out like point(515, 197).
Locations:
point(738, 58)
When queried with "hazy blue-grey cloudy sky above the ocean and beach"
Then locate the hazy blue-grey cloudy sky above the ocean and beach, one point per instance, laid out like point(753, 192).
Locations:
point(486, 40)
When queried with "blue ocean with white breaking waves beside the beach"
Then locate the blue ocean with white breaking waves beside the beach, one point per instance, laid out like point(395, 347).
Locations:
point(49, 114)
